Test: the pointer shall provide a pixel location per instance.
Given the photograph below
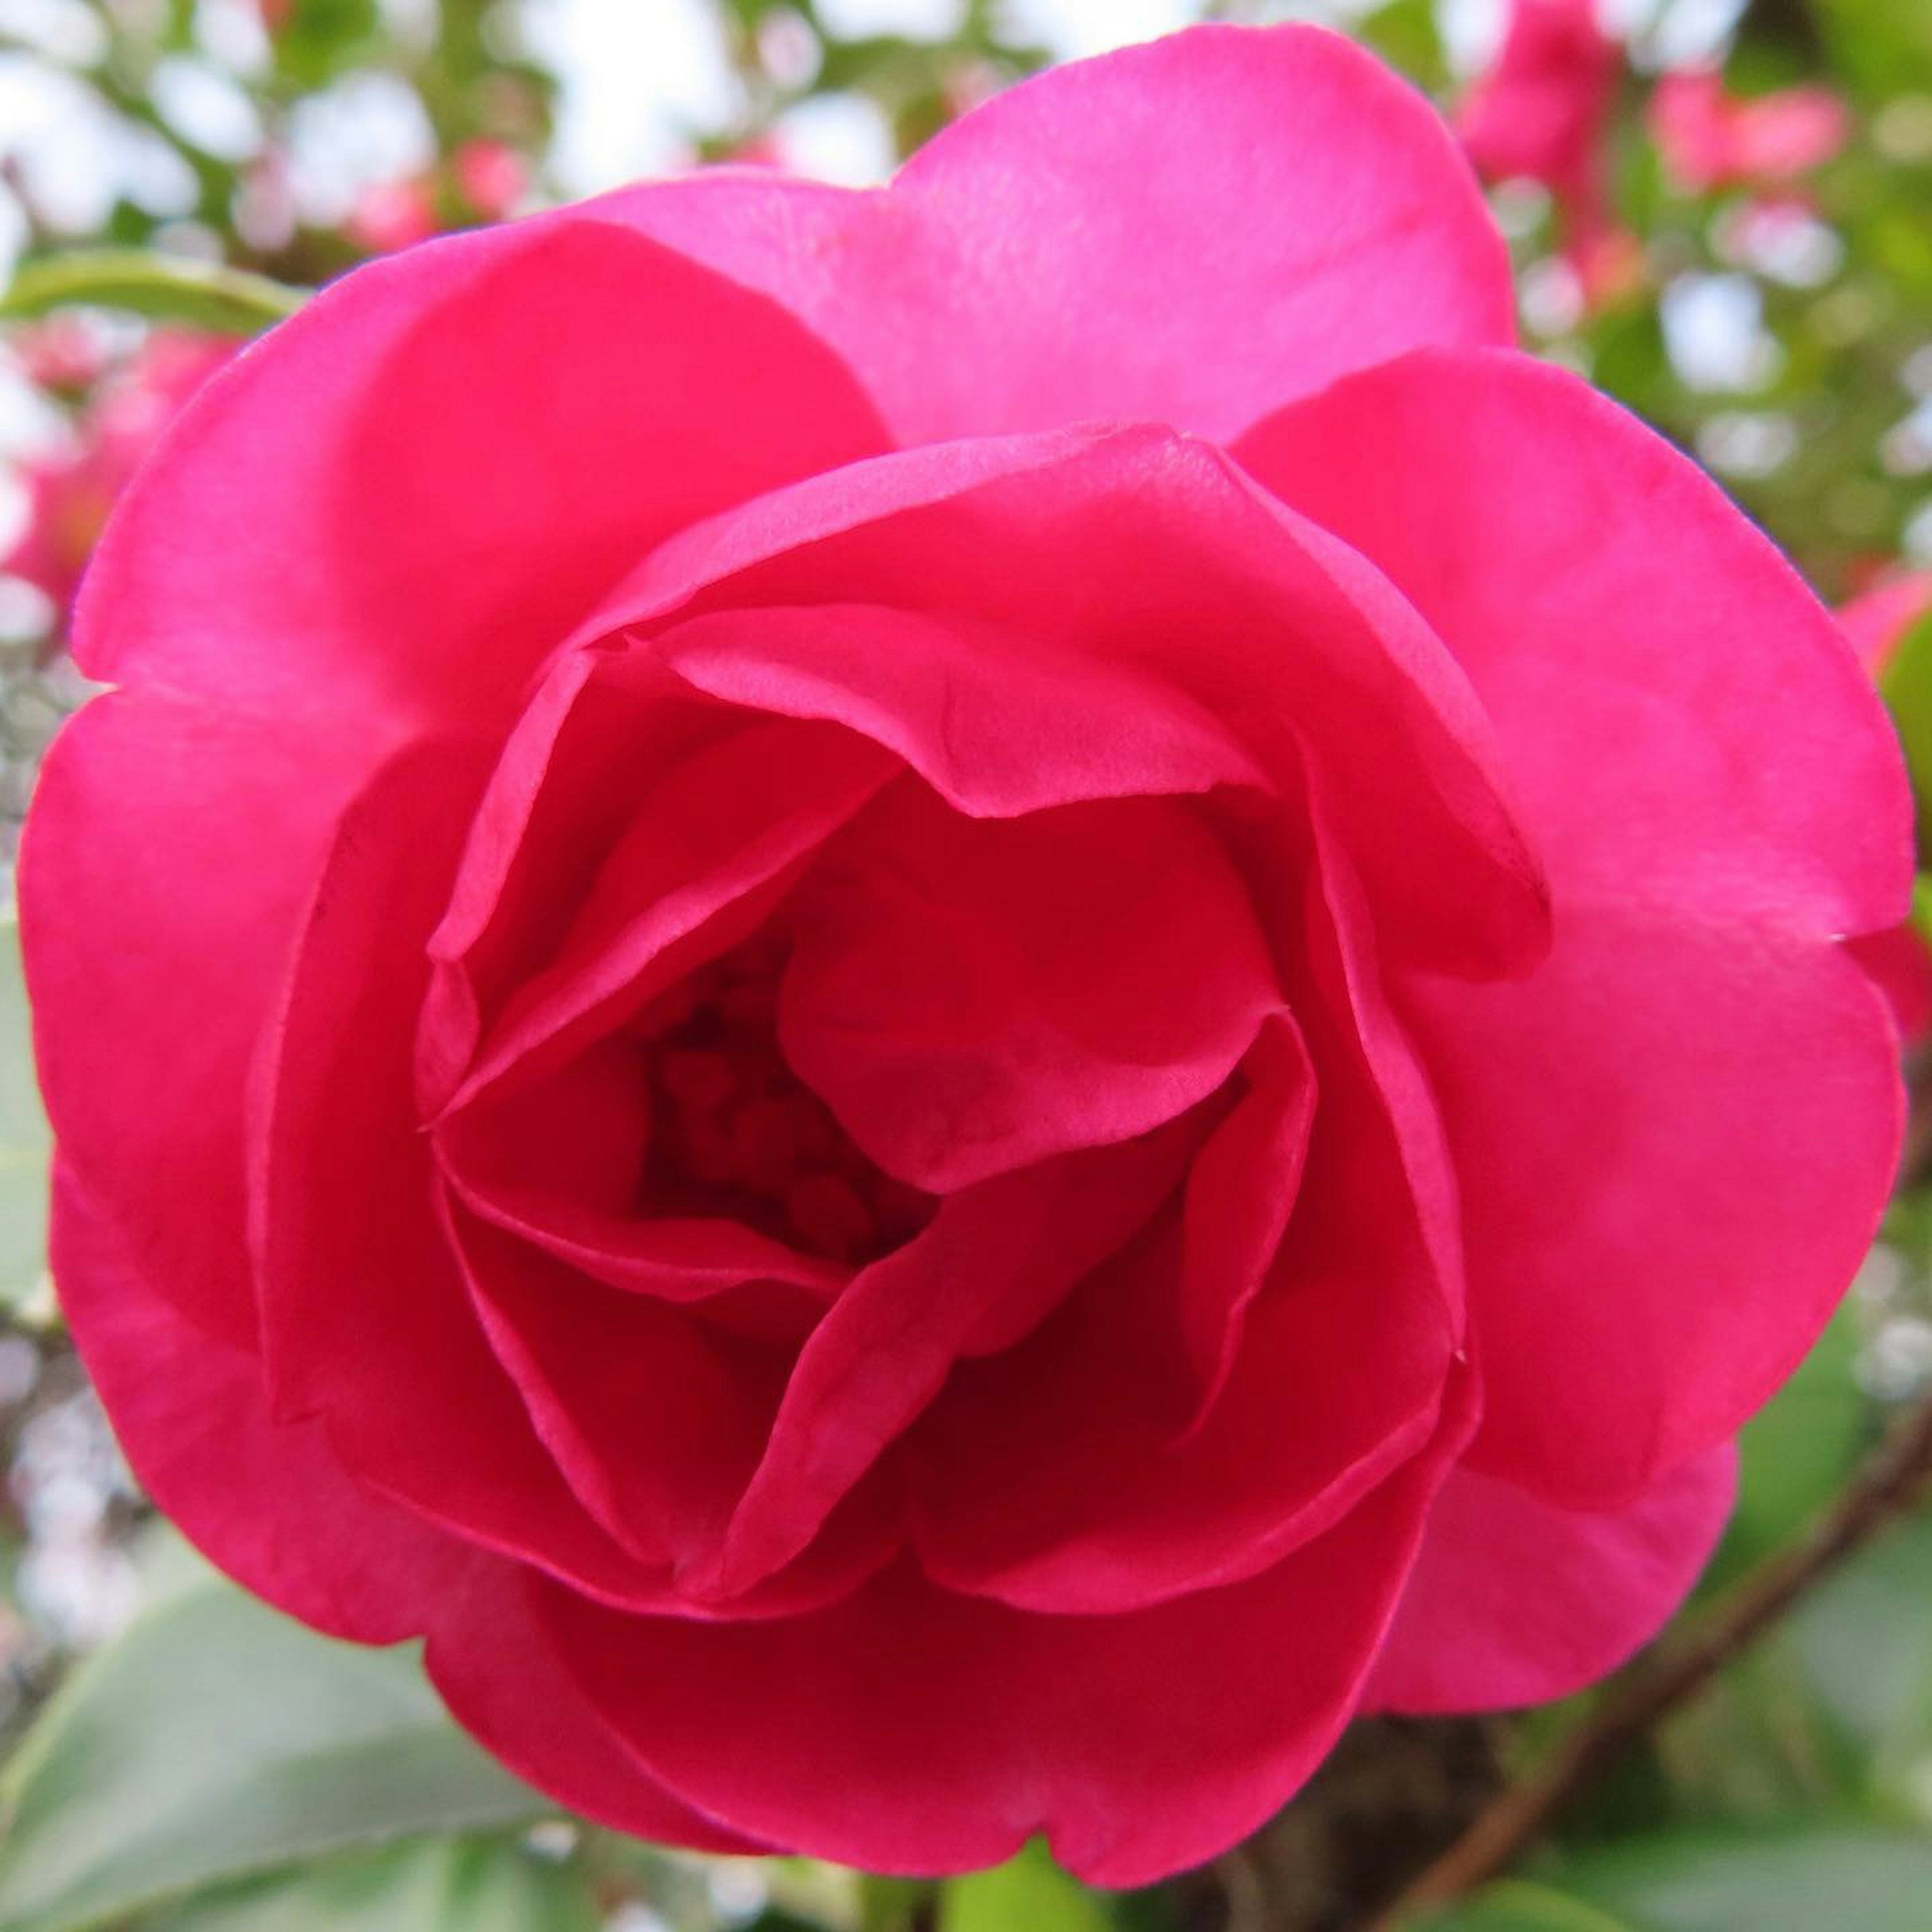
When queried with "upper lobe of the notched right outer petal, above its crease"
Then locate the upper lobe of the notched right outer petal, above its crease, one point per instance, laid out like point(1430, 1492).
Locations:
point(1678, 714)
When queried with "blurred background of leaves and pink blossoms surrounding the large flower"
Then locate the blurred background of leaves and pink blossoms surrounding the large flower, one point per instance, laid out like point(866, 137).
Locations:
point(1720, 212)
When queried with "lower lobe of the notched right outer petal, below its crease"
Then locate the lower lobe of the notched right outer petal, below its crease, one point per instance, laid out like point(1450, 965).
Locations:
point(1674, 1147)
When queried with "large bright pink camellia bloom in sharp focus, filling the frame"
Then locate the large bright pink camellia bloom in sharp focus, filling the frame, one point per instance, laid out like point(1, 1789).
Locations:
point(948, 1006)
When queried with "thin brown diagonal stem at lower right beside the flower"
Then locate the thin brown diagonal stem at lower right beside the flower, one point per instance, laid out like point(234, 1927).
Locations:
point(1883, 1489)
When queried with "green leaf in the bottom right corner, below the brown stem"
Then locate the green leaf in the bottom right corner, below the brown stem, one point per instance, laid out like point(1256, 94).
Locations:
point(1846, 1879)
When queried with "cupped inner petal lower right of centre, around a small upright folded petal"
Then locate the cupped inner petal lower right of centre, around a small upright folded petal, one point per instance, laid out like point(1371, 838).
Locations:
point(1083, 1475)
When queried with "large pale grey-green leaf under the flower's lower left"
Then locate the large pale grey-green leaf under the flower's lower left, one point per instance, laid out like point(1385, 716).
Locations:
point(215, 1740)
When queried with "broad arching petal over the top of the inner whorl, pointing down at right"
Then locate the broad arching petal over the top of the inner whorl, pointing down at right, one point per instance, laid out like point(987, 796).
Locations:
point(1160, 565)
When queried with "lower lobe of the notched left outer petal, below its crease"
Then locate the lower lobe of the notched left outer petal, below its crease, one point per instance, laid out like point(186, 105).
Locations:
point(163, 876)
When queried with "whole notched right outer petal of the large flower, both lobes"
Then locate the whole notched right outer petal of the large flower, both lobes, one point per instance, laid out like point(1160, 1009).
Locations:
point(1674, 1141)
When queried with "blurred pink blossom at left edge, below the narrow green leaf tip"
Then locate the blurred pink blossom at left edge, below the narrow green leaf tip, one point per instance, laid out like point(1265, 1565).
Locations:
point(72, 492)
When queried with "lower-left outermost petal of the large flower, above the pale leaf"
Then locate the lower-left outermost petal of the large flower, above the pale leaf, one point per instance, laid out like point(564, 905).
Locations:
point(270, 1502)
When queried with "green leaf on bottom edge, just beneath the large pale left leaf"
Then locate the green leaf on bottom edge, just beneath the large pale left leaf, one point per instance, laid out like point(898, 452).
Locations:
point(430, 1887)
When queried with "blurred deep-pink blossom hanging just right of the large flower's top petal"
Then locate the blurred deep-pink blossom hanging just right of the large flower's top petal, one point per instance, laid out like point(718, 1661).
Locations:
point(1543, 115)
